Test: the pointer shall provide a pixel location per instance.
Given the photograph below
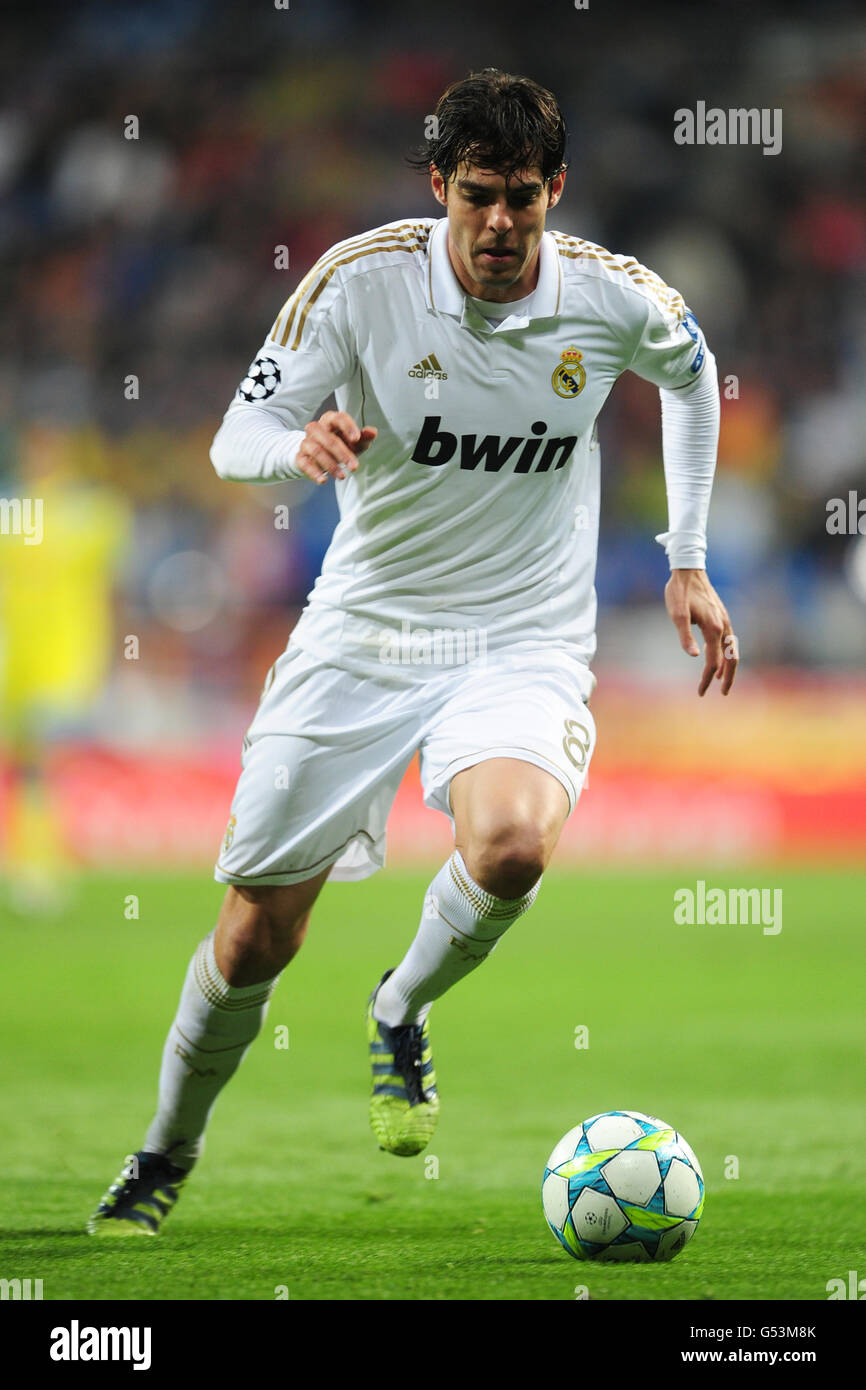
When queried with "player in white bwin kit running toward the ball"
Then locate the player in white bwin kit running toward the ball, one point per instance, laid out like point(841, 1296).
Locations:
point(455, 612)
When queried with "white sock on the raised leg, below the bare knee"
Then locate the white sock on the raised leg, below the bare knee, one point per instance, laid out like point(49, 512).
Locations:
point(459, 928)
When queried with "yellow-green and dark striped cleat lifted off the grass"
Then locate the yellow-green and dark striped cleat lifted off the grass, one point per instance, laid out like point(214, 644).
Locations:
point(405, 1103)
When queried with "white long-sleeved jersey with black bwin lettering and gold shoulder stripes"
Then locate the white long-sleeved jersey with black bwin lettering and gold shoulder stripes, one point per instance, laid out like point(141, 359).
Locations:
point(477, 505)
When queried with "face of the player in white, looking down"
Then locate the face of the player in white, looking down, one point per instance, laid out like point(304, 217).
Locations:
point(496, 229)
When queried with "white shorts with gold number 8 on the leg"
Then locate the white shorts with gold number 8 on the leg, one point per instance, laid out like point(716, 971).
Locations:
point(327, 751)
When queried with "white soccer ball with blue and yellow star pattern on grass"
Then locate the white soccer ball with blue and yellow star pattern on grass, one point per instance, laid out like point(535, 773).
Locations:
point(623, 1186)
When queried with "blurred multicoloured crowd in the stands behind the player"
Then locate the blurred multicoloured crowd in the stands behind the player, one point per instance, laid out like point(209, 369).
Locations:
point(138, 281)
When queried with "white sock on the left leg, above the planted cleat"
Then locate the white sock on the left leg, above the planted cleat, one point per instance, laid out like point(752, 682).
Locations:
point(205, 1047)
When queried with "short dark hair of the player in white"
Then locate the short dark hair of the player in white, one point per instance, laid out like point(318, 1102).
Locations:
point(496, 122)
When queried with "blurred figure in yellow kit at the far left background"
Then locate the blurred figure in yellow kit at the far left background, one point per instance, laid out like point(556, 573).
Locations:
point(60, 544)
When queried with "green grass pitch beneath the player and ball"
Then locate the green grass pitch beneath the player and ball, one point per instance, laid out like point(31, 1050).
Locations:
point(750, 1045)
